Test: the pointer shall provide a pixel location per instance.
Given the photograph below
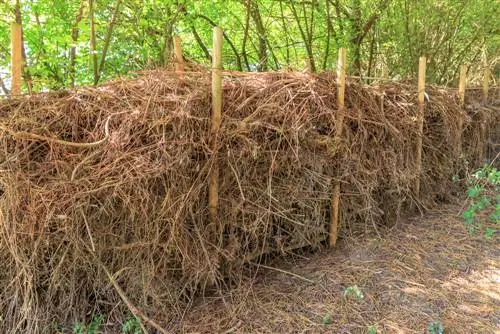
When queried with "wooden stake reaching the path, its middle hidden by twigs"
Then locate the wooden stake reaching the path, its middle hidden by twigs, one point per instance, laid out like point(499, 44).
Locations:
point(335, 208)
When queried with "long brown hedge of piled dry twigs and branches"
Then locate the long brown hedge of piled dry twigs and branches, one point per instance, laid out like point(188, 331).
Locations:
point(105, 190)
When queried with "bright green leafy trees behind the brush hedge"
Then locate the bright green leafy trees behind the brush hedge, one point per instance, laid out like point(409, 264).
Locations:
point(81, 42)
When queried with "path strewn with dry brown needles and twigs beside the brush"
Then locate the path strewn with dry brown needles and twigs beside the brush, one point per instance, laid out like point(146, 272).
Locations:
point(425, 271)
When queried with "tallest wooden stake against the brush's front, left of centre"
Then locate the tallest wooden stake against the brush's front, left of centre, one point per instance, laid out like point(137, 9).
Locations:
point(213, 193)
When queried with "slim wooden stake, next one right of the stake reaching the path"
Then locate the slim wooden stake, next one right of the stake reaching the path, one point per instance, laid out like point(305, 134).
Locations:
point(420, 120)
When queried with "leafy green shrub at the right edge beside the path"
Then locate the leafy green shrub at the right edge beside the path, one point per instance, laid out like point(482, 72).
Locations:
point(483, 201)
